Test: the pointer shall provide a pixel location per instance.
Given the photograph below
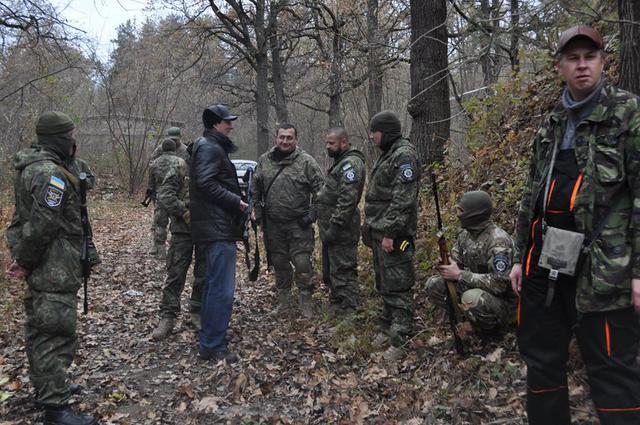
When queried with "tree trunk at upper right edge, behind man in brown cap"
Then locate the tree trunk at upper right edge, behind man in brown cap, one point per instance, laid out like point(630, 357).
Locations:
point(629, 13)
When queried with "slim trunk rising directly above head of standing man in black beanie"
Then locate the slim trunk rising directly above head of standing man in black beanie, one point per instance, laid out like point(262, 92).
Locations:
point(374, 98)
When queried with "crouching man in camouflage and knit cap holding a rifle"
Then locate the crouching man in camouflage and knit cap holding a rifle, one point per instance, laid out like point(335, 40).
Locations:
point(480, 265)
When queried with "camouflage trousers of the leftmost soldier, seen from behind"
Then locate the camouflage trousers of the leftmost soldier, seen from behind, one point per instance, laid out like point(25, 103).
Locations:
point(50, 341)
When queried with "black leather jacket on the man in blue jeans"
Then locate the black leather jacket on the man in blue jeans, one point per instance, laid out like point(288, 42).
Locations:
point(214, 190)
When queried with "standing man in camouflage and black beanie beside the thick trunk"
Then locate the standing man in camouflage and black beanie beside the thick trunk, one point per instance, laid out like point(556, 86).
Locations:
point(391, 206)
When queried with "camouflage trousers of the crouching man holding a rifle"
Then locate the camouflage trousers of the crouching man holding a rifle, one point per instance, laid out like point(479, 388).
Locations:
point(482, 309)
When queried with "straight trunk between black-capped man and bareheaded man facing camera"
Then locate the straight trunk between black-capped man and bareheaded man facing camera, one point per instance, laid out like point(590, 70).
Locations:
point(262, 82)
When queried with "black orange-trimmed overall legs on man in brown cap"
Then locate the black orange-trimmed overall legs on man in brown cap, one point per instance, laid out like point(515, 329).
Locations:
point(608, 343)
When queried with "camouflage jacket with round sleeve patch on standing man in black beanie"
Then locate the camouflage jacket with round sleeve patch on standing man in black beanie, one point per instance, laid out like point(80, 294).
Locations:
point(391, 201)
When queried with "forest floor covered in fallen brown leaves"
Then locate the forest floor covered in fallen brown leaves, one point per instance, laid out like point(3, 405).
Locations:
point(292, 370)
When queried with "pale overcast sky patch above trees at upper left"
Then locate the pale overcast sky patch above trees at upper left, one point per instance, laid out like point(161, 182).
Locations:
point(100, 18)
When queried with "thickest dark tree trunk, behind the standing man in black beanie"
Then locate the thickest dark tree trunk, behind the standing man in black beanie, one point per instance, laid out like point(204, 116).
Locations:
point(429, 105)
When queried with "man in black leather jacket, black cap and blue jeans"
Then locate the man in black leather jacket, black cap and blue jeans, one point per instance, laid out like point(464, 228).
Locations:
point(217, 216)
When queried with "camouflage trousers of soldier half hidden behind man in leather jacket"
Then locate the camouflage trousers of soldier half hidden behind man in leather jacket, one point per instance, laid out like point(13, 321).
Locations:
point(181, 250)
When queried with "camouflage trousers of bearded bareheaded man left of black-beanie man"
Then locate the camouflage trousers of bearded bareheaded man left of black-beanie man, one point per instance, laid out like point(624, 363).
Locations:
point(340, 273)
